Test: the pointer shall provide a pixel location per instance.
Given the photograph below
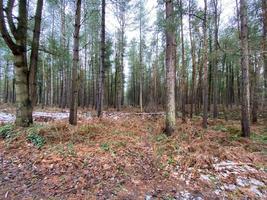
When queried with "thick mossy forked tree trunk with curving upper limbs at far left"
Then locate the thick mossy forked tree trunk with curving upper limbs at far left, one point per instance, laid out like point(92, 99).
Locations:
point(19, 50)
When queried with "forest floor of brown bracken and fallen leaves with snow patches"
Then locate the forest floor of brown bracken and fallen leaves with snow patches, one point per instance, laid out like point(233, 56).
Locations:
point(125, 155)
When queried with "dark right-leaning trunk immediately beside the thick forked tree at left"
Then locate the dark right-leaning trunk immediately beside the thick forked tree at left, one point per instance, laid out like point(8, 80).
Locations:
point(34, 52)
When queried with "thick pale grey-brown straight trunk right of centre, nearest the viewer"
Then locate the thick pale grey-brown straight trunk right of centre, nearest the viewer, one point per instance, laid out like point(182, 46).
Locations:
point(170, 69)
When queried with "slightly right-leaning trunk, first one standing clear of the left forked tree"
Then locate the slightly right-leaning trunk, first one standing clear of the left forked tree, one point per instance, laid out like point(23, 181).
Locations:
point(75, 65)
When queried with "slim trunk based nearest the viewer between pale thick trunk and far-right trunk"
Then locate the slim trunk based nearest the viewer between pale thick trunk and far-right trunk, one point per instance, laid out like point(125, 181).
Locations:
point(205, 69)
